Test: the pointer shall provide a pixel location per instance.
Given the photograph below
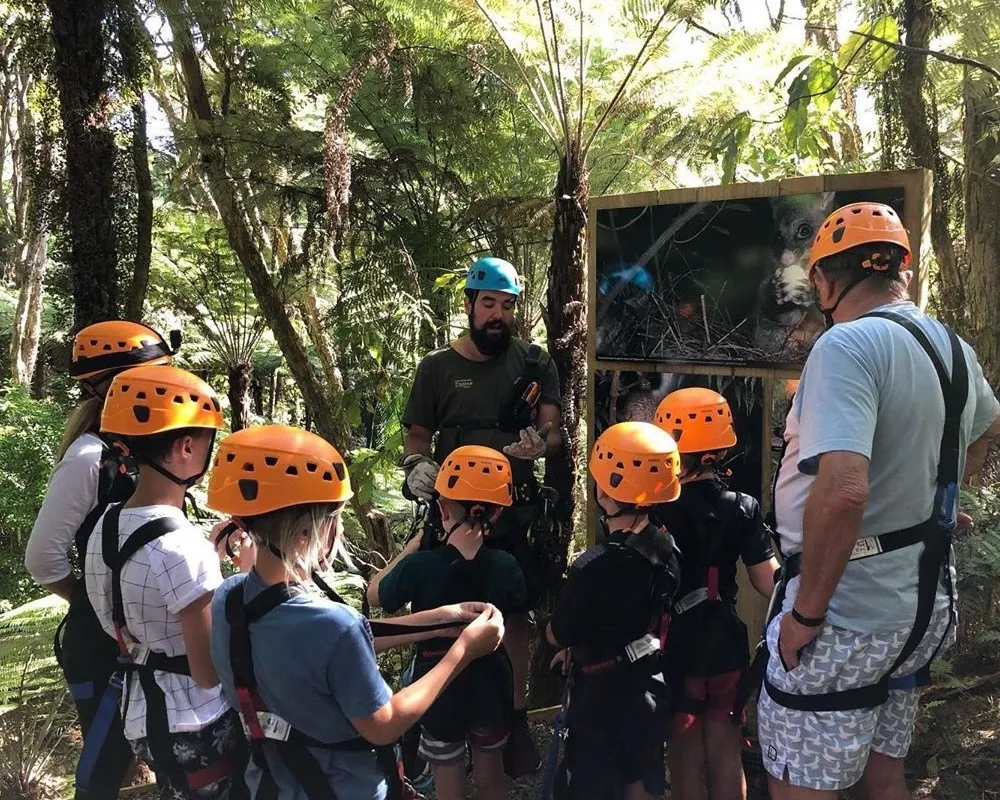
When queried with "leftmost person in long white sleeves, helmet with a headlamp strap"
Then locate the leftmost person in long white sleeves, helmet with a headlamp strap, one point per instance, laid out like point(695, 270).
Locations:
point(86, 478)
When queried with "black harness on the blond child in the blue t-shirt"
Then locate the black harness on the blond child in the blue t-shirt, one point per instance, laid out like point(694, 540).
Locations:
point(292, 746)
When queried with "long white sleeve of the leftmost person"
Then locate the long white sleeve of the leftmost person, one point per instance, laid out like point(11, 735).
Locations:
point(71, 495)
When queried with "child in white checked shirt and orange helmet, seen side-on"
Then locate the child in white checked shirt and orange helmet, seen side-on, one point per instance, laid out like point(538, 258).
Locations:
point(150, 578)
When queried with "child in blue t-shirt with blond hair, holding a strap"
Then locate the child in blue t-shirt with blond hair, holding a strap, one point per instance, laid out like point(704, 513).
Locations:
point(300, 666)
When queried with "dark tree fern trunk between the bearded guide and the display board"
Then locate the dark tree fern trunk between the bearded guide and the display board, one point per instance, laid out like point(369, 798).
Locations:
point(566, 320)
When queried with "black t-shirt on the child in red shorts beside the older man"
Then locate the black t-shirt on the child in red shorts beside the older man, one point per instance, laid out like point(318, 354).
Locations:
point(744, 536)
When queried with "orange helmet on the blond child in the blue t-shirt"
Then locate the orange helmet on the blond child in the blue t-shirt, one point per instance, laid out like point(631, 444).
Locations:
point(270, 467)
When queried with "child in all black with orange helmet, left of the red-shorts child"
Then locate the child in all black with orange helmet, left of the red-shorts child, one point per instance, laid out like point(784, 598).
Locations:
point(612, 615)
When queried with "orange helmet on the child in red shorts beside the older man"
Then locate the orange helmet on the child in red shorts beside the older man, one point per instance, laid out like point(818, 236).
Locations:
point(698, 419)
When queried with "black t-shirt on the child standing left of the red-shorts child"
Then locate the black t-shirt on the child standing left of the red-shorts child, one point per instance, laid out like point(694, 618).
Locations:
point(609, 598)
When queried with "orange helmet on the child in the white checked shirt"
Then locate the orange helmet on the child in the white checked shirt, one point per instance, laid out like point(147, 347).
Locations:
point(147, 400)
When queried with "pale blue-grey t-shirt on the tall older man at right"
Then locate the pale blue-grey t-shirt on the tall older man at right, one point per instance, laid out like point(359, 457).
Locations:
point(869, 388)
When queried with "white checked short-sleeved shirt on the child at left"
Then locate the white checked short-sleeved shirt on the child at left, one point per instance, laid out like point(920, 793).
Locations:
point(158, 582)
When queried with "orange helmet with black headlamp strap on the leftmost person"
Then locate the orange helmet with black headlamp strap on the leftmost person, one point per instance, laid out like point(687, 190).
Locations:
point(104, 348)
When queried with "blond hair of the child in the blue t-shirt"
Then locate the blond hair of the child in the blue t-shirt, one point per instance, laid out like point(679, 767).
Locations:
point(280, 529)
